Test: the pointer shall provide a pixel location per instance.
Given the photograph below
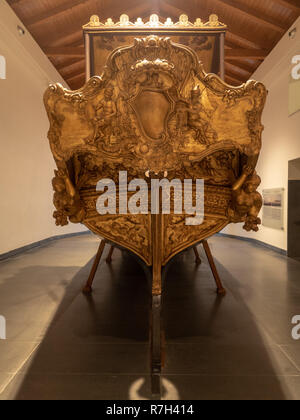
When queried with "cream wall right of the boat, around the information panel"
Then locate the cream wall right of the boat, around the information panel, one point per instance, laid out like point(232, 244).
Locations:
point(281, 138)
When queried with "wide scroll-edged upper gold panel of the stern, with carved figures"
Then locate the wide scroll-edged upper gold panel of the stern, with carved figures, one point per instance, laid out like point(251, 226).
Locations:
point(200, 106)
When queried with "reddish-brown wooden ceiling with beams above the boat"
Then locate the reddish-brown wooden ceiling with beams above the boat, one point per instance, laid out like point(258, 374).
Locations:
point(254, 27)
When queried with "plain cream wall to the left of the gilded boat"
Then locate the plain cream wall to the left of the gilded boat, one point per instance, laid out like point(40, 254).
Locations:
point(26, 163)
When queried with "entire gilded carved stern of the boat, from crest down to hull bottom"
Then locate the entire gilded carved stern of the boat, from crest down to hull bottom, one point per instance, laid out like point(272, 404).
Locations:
point(154, 112)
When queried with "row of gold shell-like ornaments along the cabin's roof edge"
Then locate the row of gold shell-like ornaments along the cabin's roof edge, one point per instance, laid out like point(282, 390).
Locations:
point(154, 22)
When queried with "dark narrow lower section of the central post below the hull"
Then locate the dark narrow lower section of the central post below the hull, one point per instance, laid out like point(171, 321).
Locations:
point(156, 347)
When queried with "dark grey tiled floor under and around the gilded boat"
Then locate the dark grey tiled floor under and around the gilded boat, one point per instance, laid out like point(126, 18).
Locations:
point(63, 345)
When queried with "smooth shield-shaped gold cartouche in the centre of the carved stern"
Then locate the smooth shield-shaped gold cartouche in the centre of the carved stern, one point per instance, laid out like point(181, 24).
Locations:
point(152, 109)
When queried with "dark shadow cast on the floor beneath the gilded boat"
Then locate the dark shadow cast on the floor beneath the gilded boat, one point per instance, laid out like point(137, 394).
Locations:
point(97, 347)
